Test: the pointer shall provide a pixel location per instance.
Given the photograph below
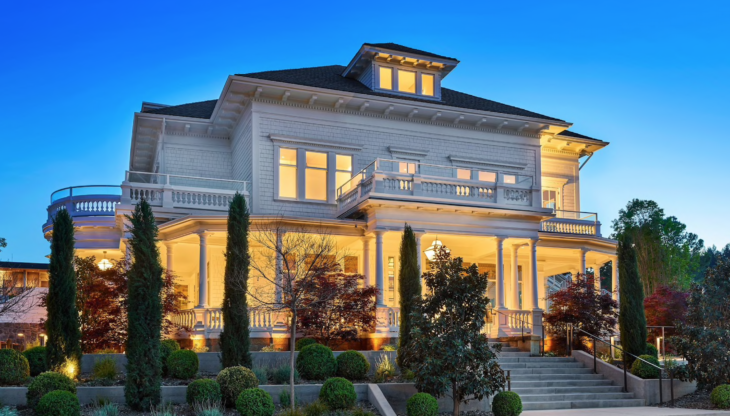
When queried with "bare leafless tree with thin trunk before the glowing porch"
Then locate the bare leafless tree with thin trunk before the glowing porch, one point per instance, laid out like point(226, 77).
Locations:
point(289, 259)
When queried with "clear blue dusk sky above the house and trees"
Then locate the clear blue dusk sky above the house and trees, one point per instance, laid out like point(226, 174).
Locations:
point(650, 77)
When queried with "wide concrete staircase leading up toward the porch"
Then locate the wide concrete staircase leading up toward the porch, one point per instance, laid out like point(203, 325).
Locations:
point(548, 383)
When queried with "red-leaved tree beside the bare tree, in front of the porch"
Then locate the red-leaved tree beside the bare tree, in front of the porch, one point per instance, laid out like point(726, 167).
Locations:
point(335, 309)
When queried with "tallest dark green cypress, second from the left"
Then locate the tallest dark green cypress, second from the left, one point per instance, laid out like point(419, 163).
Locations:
point(144, 309)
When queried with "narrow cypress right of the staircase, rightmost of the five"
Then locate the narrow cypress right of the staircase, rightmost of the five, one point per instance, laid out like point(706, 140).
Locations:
point(632, 322)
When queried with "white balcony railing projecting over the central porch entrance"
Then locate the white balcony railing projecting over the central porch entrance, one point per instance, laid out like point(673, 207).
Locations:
point(423, 182)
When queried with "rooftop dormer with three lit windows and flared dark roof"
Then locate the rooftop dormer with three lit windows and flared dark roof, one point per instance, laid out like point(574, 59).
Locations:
point(395, 69)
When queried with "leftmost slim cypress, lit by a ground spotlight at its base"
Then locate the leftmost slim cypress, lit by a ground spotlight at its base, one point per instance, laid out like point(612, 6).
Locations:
point(62, 324)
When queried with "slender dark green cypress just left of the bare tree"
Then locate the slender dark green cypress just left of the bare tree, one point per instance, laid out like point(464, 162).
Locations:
point(235, 343)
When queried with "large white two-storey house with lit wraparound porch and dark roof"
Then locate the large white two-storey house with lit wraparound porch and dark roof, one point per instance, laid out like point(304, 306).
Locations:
point(359, 150)
